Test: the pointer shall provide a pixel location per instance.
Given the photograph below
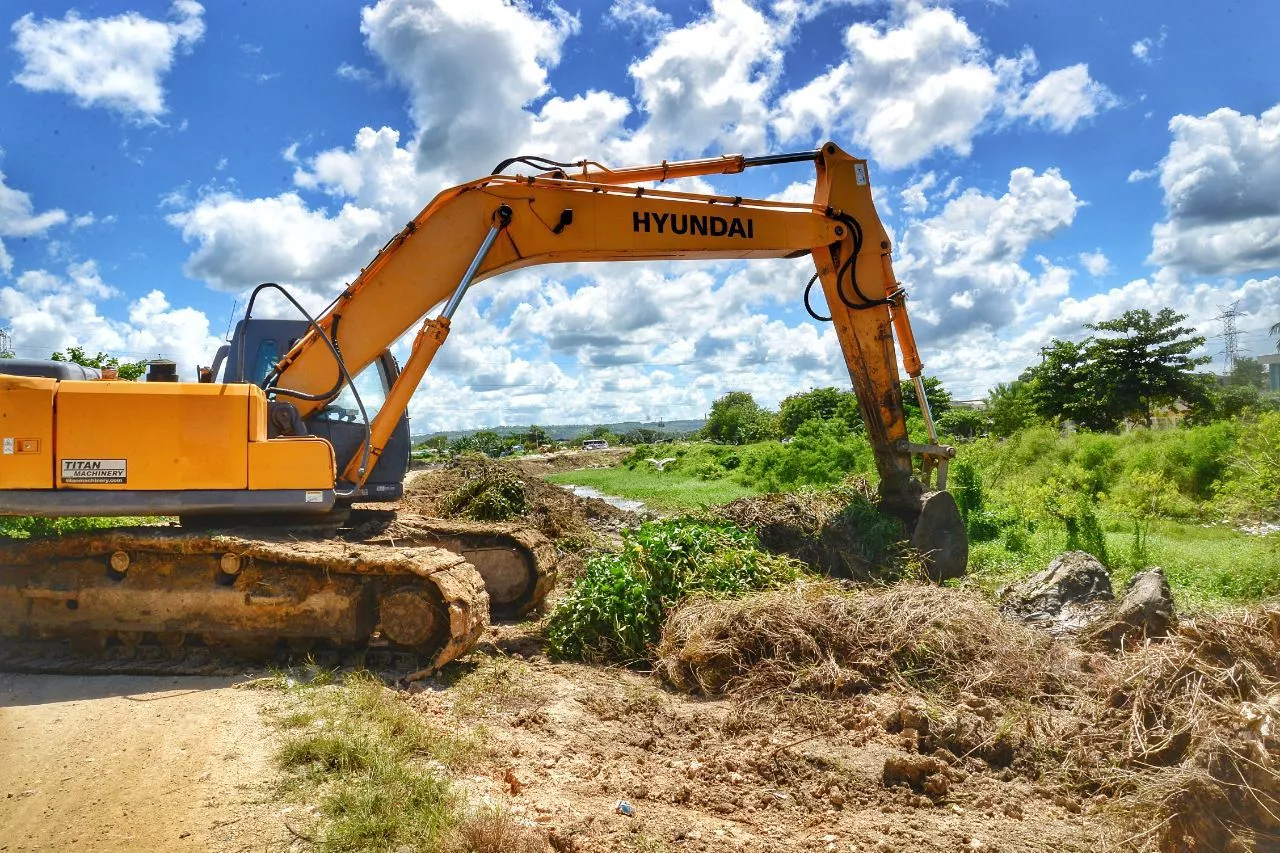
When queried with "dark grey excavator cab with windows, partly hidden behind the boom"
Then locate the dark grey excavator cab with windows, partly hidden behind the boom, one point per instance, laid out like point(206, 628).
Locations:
point(258, 345)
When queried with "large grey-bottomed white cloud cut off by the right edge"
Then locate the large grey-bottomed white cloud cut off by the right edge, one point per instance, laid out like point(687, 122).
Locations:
point(1222, 184)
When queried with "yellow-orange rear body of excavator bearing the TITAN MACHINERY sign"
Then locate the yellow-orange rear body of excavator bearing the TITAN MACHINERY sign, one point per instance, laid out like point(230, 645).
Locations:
point(135, 445)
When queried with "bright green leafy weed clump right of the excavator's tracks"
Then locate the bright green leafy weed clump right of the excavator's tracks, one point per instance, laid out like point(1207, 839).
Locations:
point(616, 609)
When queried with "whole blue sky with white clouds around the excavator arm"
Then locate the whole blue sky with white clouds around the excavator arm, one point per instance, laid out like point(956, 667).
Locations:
point(1041, 167)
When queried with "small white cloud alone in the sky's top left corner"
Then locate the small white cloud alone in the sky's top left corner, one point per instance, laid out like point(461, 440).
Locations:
point(116, 63)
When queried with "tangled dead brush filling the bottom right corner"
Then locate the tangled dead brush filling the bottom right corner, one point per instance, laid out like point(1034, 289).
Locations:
point(1186, 735)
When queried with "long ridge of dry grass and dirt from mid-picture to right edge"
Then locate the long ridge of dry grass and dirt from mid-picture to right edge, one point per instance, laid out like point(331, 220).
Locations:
point(1178, 738)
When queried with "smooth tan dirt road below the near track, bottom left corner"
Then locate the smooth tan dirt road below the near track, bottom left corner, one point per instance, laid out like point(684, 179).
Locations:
point(135, 764)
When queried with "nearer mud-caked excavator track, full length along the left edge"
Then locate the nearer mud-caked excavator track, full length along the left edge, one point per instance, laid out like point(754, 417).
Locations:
point(173, 601)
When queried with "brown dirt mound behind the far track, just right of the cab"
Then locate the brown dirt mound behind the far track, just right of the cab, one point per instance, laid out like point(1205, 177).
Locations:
point(477, 482)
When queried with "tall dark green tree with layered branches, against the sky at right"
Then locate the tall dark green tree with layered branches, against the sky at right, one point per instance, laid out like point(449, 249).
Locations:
point(1141, 363)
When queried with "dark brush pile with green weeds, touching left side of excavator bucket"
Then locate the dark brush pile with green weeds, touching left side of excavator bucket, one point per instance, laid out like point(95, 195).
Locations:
point(838, 532)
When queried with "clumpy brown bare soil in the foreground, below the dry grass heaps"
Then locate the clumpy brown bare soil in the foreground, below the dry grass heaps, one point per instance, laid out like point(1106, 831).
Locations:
point(566, 742)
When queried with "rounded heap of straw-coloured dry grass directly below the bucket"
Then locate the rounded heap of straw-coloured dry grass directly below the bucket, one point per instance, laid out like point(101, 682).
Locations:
point(817, 640)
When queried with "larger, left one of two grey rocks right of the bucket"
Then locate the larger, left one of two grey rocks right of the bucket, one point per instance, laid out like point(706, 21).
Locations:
point(1064, 599)
